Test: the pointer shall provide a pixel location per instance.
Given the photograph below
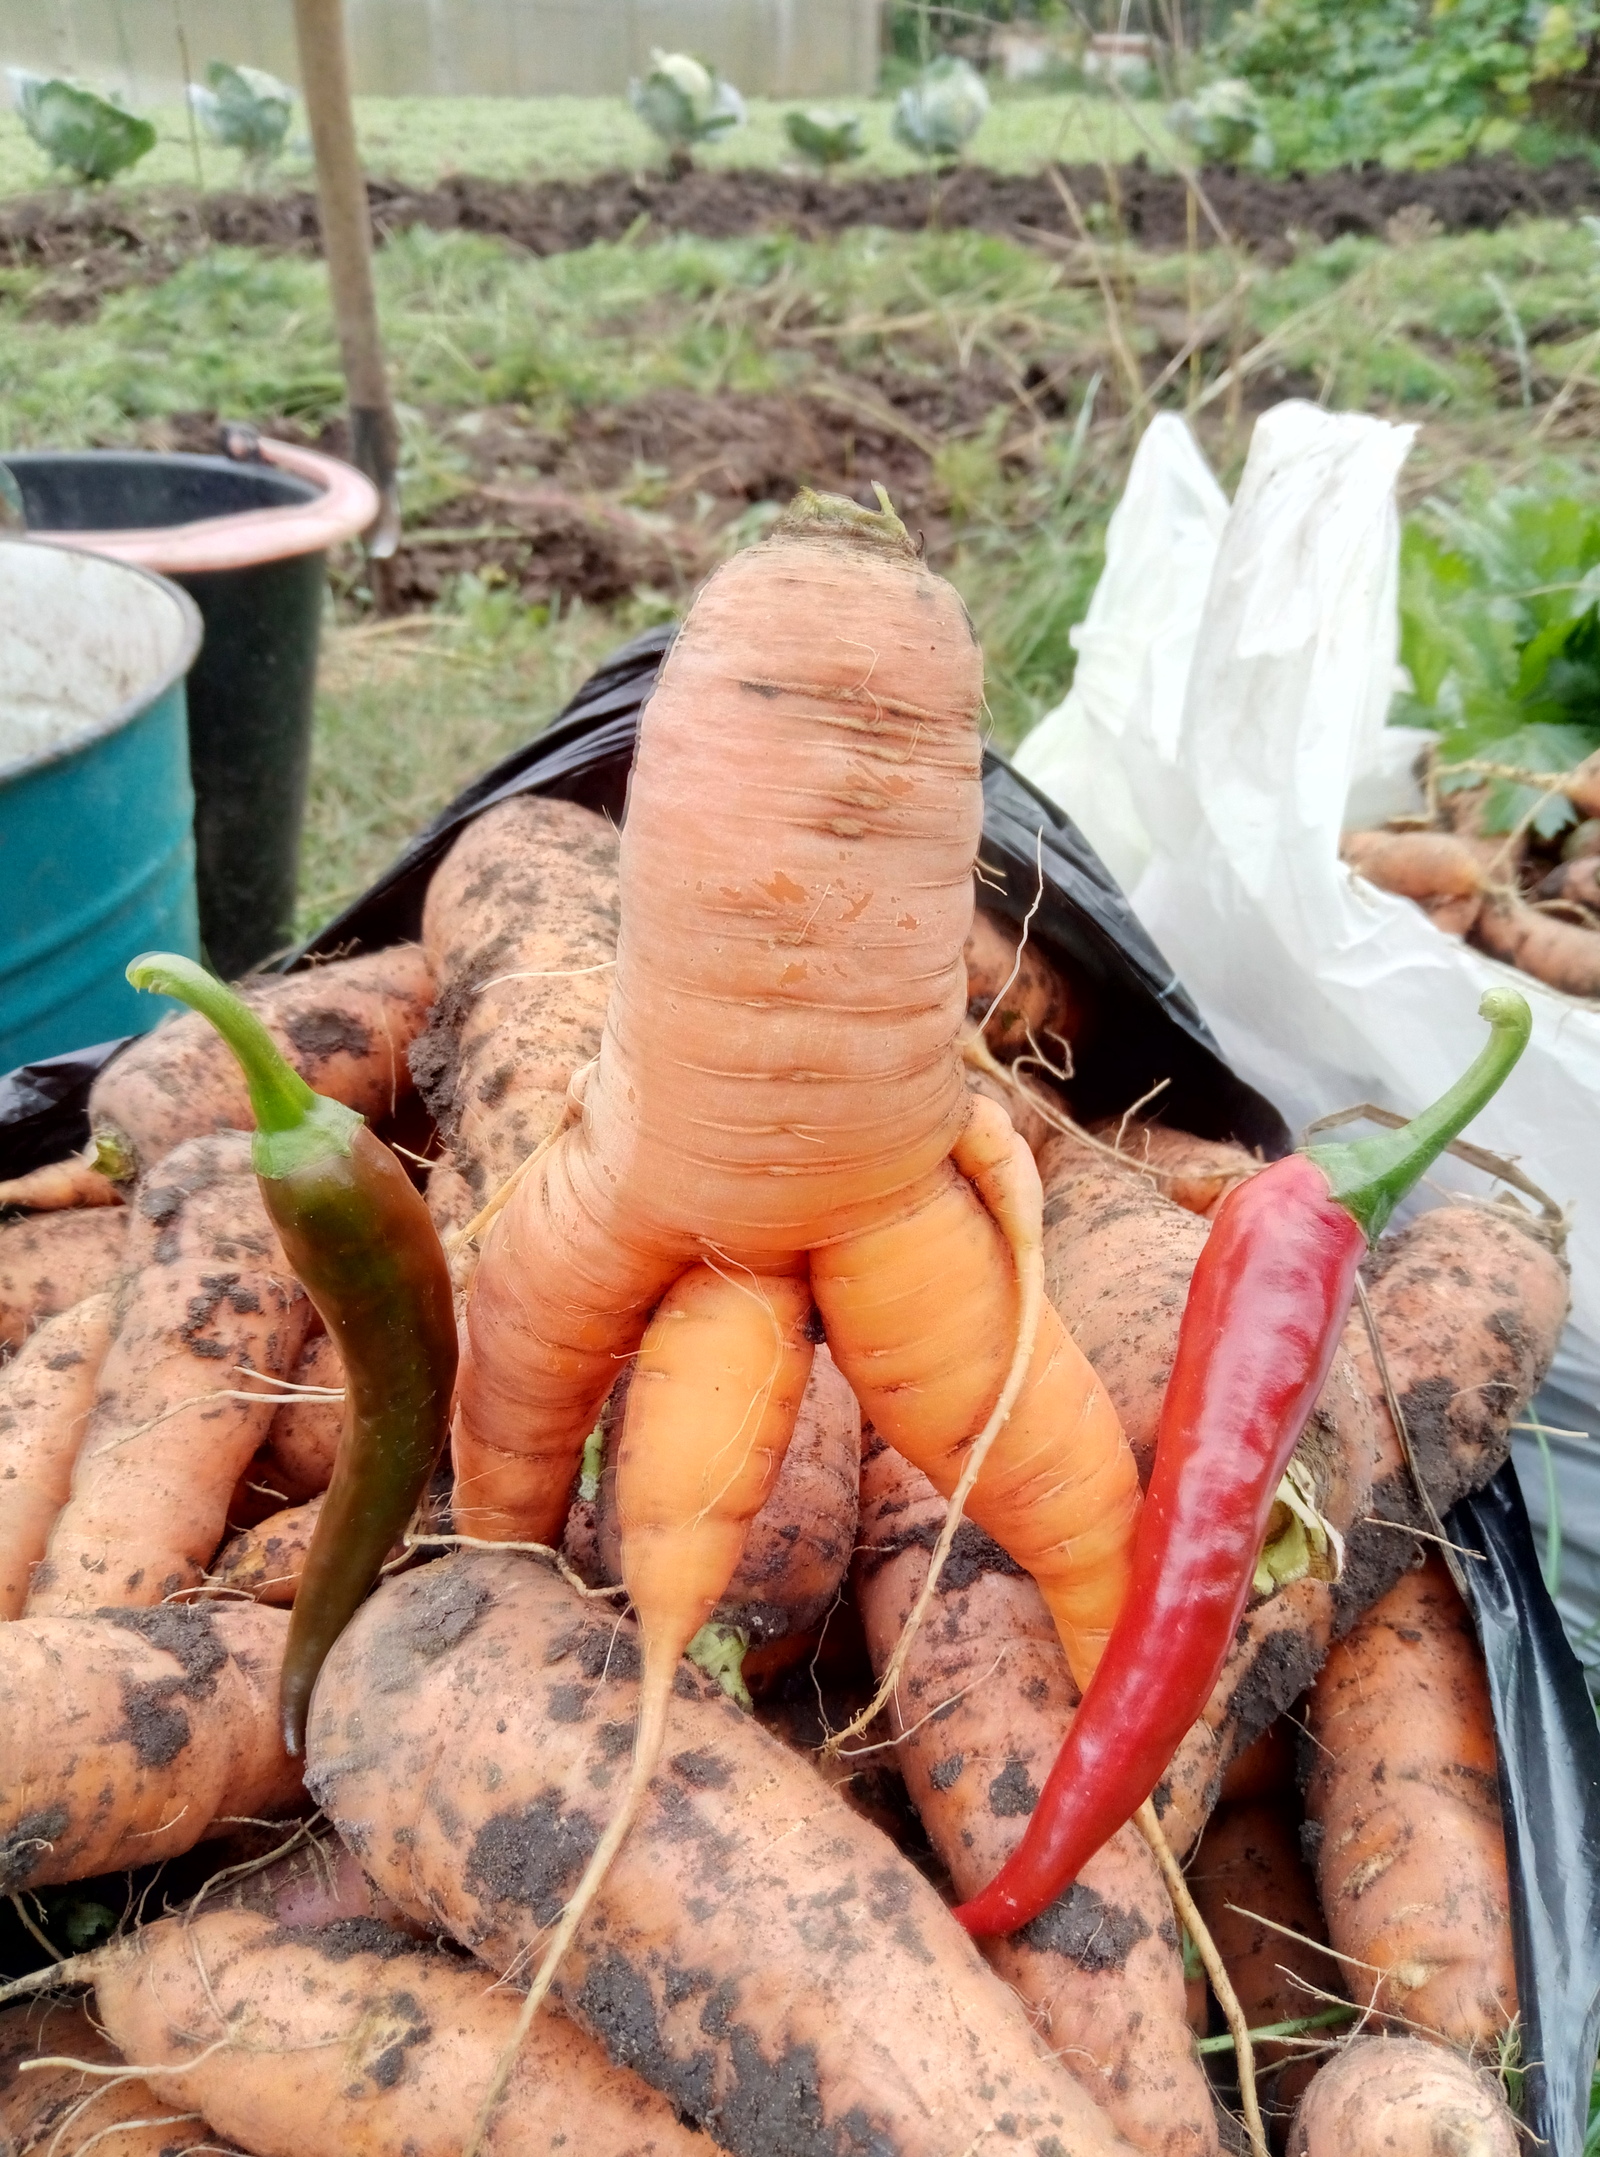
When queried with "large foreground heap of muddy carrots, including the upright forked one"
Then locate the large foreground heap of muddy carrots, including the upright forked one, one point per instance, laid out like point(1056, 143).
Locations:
point(812, 1373)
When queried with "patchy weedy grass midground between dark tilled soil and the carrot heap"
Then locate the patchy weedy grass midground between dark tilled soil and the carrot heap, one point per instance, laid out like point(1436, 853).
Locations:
point(1030, 357)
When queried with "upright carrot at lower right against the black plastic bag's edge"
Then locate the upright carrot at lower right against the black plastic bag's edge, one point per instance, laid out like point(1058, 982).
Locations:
point(1405, 1811)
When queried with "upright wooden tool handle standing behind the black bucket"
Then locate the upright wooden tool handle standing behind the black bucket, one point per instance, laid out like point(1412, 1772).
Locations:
point(348, 245)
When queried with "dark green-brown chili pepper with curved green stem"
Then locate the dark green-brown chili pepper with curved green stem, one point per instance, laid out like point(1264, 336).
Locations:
point(370, 1259)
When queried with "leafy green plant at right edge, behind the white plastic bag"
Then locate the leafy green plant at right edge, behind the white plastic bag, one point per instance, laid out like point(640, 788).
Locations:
point(1500, 633)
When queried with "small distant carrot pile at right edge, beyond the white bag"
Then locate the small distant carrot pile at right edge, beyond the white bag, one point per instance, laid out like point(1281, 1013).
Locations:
point(1523, 898)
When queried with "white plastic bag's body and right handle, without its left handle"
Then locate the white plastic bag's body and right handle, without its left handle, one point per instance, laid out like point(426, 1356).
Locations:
point(1325, 991)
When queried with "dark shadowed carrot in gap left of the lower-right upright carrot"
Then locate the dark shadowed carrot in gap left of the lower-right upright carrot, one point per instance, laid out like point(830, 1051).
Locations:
point(1250, 1869)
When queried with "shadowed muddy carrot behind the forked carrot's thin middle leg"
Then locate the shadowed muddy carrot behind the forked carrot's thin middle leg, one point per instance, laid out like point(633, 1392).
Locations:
point(799, 1548)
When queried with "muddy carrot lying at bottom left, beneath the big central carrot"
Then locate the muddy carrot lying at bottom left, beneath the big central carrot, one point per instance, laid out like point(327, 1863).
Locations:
point(353, 2037)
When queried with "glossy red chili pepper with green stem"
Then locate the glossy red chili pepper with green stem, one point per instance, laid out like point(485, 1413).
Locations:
point(1260, 1328)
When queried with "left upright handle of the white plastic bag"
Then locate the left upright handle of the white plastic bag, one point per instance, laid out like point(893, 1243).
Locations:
point(1135, 642)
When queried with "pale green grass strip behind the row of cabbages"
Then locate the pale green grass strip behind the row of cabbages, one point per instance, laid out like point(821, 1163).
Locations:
point(422, 139)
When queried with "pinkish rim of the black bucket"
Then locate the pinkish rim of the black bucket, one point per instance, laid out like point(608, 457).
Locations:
point(346, 504)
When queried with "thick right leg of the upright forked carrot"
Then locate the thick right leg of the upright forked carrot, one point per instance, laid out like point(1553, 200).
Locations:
point(922, 1315)
